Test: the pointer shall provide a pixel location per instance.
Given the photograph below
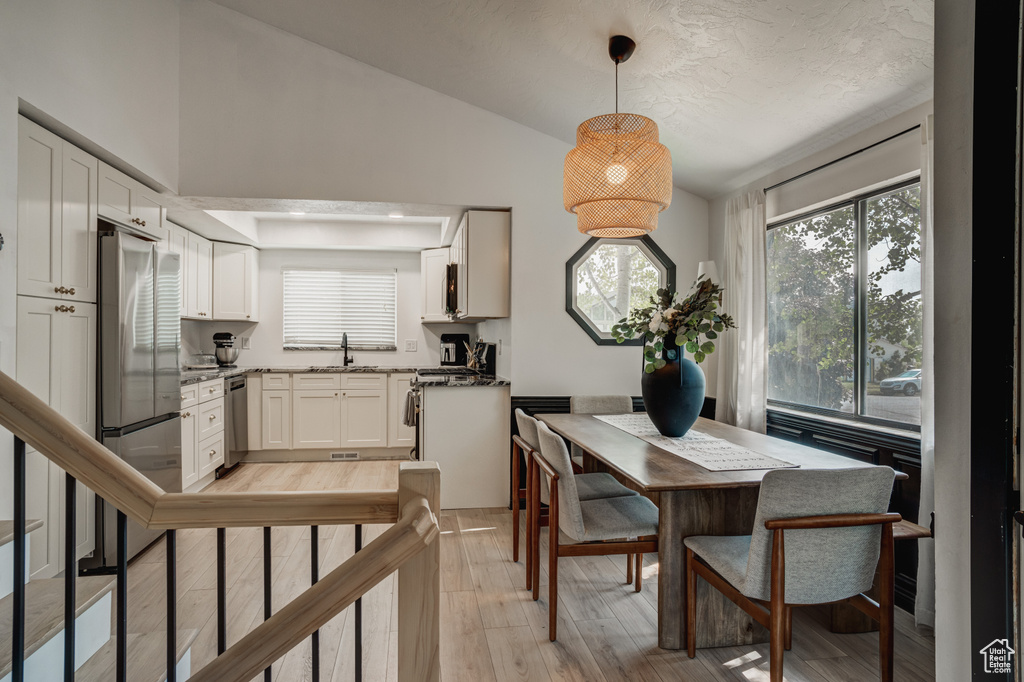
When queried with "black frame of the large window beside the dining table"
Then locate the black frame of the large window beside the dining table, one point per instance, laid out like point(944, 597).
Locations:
point(861, 309)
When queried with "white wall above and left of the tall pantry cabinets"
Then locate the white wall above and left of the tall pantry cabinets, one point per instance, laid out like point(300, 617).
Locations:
point(107, 70)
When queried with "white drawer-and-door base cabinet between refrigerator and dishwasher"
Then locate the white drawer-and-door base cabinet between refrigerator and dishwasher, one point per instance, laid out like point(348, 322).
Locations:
point(202, 434)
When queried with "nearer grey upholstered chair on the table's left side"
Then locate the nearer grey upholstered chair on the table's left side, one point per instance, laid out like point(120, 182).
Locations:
point(584, 528)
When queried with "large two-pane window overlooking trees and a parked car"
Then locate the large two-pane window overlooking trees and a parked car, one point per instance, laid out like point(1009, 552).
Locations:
point(845, 307)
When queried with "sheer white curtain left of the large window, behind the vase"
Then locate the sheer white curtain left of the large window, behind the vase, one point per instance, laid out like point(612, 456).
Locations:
point(743, 361)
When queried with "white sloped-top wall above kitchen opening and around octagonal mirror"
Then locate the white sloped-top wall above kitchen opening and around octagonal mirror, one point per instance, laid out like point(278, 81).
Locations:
point(268, 115)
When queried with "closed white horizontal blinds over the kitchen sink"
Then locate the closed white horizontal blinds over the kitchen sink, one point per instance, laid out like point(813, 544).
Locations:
point(321, 306)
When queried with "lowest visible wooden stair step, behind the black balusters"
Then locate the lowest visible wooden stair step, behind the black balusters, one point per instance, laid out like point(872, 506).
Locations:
point(147, 659)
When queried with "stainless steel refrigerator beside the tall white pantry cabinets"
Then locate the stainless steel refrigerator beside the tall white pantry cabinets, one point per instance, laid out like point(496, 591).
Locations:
point(140, 379)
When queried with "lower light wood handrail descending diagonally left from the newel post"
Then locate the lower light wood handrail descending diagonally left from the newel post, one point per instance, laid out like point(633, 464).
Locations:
point(311, 611)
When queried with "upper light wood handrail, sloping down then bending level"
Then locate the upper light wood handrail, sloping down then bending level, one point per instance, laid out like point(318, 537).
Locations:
point(112, 479)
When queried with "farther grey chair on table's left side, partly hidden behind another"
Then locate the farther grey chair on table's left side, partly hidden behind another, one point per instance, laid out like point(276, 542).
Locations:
point(590, 487)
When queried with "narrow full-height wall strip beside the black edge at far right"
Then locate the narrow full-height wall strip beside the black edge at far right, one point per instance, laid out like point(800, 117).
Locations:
point(955, 120)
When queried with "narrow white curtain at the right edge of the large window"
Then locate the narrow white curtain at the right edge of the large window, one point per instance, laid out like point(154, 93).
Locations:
point(925, 608)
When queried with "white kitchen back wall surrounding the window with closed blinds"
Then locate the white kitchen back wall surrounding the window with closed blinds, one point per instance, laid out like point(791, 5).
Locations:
point(267, 337)
